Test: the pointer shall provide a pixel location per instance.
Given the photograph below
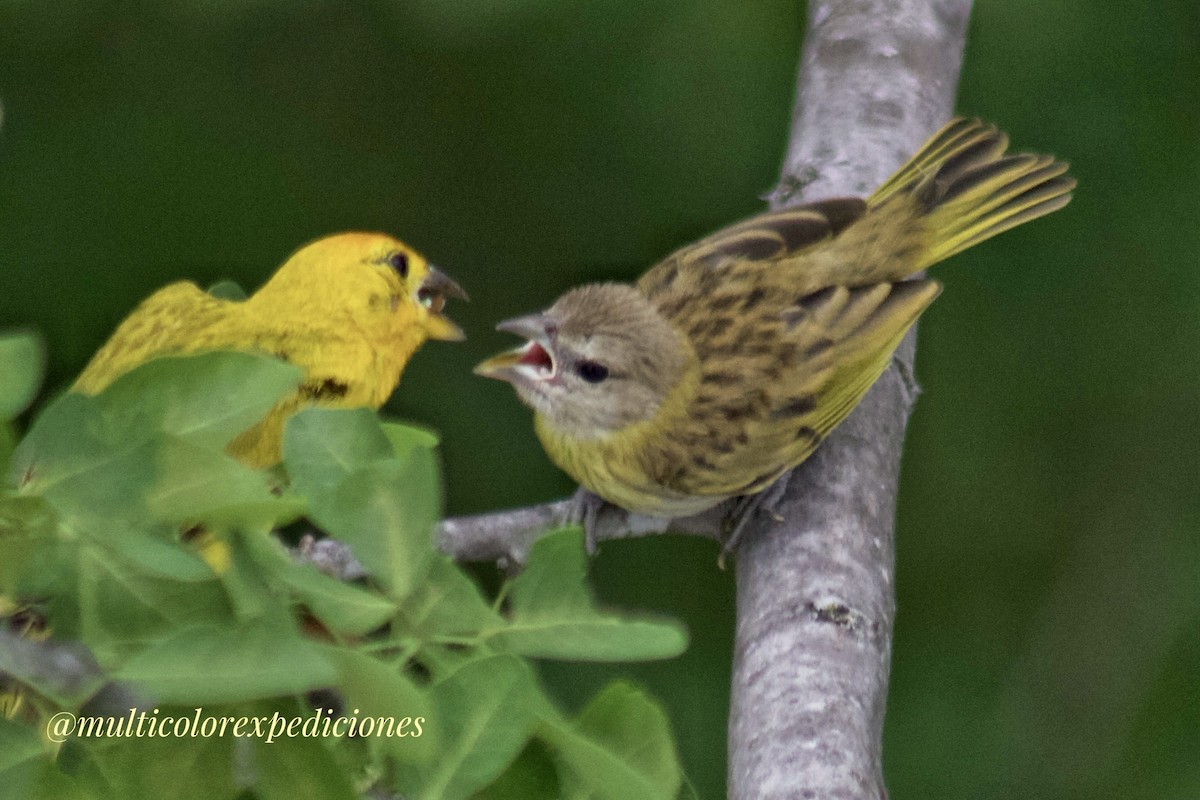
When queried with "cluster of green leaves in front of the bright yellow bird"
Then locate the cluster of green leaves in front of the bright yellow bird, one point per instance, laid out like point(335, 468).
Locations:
point(125, 528)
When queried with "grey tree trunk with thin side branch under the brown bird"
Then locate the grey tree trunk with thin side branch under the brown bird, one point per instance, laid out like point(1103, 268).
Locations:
point(815, 586)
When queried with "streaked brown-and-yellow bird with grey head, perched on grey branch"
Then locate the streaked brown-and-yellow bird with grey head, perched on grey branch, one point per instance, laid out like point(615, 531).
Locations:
point(730, 362)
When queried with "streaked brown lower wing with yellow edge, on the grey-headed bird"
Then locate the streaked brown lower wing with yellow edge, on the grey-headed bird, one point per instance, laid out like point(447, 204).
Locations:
point(764, 408)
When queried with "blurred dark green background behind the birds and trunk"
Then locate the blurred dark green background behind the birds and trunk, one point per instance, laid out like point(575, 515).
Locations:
point(1048, 643)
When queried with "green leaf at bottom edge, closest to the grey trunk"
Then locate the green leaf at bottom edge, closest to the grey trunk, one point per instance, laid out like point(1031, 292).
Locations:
point(620, 749)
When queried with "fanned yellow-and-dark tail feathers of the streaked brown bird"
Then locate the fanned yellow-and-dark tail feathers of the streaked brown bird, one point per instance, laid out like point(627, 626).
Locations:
point(969, 190)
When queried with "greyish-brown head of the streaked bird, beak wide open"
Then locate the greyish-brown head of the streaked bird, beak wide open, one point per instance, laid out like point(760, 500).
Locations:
point(601, 359)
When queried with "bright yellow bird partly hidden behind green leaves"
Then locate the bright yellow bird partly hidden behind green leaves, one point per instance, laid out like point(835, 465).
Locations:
point(350, 310)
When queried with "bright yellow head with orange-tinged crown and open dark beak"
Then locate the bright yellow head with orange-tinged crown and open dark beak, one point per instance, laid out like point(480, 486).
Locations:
point(374, 282)
